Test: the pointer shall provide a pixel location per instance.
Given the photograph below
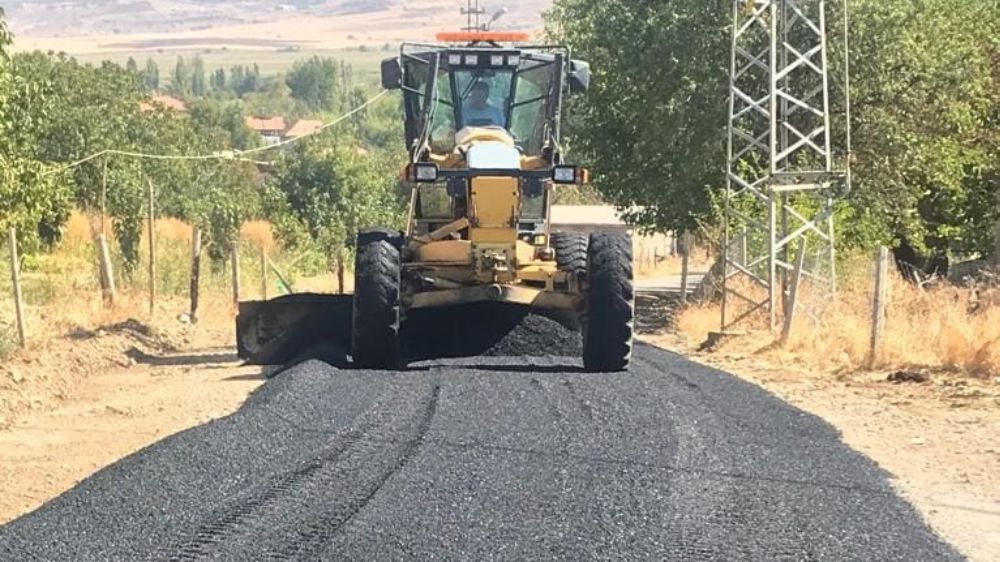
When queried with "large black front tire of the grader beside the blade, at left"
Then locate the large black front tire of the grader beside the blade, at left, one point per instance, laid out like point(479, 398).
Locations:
point(376, 314)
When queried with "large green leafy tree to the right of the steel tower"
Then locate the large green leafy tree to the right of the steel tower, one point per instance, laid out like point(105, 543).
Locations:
point(926, 87)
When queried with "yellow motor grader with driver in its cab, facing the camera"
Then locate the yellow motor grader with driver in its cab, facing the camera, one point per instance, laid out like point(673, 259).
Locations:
point(482, 127)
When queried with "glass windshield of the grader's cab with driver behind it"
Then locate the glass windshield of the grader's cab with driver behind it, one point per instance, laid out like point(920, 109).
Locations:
point(517, 99)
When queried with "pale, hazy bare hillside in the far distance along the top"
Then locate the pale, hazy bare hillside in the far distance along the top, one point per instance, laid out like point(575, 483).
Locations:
point(284, 22)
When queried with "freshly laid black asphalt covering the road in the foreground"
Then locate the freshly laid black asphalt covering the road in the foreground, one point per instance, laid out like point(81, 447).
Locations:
point(490, 458)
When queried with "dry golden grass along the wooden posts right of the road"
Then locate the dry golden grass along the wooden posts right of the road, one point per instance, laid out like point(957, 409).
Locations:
point(942, 328)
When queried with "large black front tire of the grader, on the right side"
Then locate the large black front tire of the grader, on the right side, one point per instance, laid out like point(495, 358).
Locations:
point(610, 315)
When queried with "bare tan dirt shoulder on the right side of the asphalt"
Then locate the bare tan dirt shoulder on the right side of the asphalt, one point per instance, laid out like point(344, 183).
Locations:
point(938, 439)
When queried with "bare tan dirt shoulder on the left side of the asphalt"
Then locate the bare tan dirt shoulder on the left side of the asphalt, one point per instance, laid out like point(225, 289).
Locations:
point(77, 403)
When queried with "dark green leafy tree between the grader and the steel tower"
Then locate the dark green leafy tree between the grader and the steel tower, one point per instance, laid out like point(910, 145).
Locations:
point(652, 126)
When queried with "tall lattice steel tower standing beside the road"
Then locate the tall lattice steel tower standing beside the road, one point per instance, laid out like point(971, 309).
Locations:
point(782, 176)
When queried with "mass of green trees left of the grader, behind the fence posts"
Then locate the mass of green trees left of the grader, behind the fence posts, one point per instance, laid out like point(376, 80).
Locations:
point(66, 112)
